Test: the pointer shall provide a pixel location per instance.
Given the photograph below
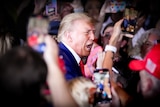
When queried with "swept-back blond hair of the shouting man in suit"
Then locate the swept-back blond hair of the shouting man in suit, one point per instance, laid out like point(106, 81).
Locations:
point(68, 21)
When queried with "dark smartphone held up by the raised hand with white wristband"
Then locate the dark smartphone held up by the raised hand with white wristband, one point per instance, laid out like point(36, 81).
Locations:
point(129, 22)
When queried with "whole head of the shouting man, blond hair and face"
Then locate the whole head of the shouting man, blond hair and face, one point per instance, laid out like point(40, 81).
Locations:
point(77, 31)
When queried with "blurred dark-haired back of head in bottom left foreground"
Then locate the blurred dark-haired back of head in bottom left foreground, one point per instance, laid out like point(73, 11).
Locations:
point(22, 73)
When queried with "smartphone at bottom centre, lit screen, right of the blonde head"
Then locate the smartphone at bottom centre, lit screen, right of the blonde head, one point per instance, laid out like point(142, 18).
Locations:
point(103, 91)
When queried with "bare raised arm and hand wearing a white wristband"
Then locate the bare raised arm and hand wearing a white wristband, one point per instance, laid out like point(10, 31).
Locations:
point(108, 63)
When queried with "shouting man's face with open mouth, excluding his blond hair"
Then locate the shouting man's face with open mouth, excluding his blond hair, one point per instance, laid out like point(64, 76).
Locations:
point(82, 36)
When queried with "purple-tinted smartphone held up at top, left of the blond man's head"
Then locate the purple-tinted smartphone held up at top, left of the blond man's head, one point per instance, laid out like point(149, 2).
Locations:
point(51, 7)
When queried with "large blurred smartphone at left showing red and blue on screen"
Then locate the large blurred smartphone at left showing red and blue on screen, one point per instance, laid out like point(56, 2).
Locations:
point(37, 28)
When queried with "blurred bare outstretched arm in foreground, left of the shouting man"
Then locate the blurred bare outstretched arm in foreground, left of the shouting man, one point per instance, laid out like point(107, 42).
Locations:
point(60, 93)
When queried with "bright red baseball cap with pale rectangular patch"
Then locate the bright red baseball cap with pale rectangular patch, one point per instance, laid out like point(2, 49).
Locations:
point(151, 62)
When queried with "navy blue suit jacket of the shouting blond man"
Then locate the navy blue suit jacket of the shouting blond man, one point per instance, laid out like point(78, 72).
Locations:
point(72, 68)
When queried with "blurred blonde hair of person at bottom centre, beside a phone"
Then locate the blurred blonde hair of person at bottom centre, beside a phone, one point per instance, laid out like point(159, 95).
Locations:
point(79, 88)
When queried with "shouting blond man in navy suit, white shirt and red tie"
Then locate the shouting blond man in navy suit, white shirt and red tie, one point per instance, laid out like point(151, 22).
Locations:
point(75, 36)
